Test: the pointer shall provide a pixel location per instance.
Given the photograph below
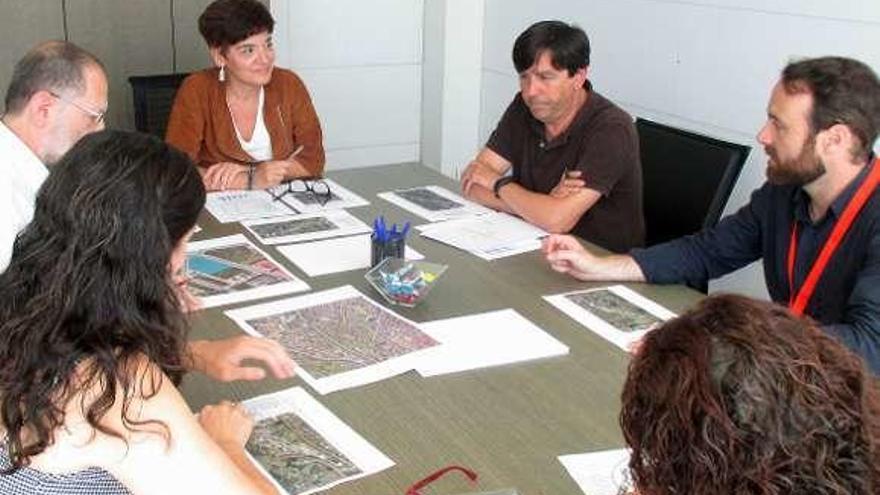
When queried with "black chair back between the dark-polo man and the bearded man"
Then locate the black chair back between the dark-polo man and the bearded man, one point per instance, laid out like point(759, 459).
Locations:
point(687, 179)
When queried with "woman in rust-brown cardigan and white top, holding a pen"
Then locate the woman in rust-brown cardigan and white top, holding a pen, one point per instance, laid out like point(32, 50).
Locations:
point(246, 123)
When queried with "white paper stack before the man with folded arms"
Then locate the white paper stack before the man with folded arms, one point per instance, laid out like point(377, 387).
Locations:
point(492, 236)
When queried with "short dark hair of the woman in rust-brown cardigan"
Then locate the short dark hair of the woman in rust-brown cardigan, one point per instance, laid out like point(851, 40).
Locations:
point(226, 22)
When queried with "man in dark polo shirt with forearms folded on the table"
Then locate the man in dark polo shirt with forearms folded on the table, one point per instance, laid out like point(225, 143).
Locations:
point(574, 154)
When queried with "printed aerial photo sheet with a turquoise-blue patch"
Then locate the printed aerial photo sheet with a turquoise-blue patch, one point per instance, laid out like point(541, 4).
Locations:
point(232, 269)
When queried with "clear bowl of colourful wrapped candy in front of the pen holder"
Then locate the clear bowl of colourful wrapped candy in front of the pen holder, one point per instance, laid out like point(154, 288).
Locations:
point(404, 282)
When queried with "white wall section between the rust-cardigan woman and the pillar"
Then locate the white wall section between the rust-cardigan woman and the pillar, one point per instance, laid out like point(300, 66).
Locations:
point(362, 63)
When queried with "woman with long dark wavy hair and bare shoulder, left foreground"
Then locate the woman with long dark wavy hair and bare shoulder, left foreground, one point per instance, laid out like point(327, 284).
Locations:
point(92, 336)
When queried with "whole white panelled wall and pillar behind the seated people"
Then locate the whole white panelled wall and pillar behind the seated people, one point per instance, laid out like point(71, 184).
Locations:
point(705, 65)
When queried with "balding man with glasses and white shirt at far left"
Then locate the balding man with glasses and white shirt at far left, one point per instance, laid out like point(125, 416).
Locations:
point(58, 94)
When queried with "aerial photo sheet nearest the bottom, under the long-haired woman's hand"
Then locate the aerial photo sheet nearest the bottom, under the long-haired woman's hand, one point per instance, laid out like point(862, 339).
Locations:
point(303, 447)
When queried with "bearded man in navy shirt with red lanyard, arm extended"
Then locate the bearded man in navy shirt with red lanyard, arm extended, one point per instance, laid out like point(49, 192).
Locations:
point(815, 223)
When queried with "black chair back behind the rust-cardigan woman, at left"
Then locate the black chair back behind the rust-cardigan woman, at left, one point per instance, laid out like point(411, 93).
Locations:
point(153, 98)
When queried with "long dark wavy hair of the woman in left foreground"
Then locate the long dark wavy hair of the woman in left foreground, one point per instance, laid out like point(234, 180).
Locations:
point(87, 293)
